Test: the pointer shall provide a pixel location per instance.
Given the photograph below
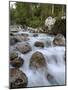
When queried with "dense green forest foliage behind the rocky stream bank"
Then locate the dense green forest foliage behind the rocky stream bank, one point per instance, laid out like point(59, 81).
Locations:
point(33, 14)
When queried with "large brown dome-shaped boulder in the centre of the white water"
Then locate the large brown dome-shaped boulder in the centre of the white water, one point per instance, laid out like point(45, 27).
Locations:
point(37, 60)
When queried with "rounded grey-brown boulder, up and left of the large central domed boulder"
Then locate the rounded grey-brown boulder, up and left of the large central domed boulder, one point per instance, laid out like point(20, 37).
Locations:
point(24, 48)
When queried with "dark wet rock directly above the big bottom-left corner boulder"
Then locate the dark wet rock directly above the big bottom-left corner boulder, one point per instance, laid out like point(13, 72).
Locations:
point(17, 62)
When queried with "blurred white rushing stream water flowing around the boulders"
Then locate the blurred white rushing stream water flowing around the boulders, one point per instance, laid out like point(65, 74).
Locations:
point(54, 56)
